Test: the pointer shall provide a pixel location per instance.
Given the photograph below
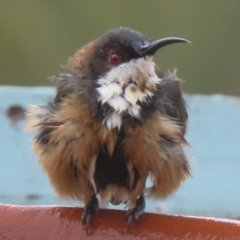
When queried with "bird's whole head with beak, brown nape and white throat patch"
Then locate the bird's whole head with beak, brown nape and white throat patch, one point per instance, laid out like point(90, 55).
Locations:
point(118, 73)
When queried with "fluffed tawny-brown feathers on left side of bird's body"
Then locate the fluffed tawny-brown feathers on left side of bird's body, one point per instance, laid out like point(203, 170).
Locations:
point(67, 141)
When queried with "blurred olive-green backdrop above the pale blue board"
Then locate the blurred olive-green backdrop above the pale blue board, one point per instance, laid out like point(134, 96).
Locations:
point(38, 36)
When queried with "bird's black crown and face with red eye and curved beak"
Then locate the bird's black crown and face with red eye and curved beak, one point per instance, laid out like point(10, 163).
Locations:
point(121, 45)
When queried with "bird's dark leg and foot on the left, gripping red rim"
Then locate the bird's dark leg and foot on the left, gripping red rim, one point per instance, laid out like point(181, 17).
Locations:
point(90, 208)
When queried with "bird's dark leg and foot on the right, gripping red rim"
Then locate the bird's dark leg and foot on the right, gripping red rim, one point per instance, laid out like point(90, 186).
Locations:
point(137, 211)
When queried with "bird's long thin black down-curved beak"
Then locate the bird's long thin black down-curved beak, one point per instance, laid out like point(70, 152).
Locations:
point(151, 48)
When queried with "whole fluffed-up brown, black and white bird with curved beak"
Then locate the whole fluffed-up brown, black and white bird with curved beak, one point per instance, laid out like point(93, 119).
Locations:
point(116, 120)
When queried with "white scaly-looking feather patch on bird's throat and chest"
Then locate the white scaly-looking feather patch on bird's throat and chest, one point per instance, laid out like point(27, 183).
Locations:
point(124, 86)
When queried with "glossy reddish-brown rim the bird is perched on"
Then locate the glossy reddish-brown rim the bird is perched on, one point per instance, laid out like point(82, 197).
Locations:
point(62, 223)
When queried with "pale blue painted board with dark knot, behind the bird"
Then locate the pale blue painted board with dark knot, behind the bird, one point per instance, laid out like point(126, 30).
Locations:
point(214, 132)
